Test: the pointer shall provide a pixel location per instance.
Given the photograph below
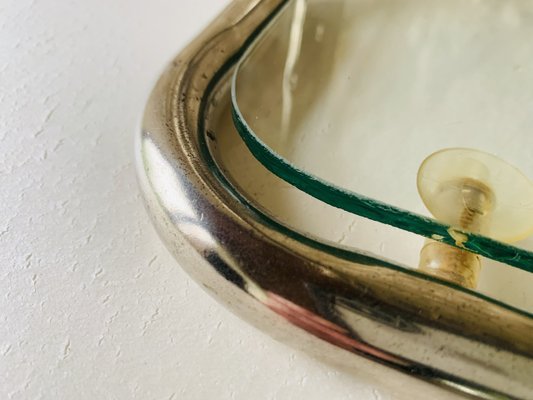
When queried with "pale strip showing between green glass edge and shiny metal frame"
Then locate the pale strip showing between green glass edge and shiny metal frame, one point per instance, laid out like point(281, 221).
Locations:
point(286, 206)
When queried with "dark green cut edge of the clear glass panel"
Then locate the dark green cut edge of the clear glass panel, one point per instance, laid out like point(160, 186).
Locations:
point(367, 207)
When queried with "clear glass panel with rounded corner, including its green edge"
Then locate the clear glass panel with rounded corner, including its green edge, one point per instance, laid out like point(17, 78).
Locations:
point(346, 100)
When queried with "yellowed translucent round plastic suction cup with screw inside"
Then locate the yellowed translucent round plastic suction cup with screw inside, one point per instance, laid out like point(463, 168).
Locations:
point(477, 192)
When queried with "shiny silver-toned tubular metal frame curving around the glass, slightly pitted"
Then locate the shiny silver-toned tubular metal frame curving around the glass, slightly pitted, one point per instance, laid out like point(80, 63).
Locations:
point(298, 292)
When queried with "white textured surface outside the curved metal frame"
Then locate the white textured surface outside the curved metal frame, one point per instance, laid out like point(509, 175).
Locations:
point(91, 304)
